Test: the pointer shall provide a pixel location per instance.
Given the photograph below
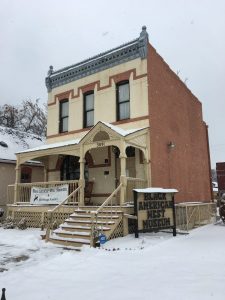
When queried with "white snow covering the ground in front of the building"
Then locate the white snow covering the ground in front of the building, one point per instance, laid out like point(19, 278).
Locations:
point(155, 266)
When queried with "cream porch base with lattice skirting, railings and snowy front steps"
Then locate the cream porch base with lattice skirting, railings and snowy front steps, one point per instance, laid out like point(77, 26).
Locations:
point(69, 222)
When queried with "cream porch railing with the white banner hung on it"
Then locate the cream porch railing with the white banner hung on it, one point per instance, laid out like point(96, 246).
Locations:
point(20, 193)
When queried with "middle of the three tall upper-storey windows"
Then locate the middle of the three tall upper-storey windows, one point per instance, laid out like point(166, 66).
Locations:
point(88, 109)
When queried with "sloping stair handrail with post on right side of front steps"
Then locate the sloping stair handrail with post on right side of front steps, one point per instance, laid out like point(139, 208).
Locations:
point(94, 214)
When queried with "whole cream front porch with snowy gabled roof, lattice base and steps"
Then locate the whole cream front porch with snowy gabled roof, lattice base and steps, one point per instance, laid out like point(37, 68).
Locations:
point(100, 171)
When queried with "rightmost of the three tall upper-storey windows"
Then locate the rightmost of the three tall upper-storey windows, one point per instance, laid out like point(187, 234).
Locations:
point(123, 100)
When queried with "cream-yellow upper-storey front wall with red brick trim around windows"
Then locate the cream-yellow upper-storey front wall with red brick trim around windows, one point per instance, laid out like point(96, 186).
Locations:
point(105, 100)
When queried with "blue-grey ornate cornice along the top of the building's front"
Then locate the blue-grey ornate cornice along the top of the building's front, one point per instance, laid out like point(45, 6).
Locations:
point(123, 53)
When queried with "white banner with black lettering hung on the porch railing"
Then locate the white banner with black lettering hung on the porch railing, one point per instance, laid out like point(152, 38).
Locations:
point(52, 195)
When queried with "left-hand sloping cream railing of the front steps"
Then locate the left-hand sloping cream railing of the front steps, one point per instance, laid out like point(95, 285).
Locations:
point(55, 214)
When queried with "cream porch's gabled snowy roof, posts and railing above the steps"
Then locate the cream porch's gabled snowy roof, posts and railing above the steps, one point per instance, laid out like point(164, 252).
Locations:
point(98, 163)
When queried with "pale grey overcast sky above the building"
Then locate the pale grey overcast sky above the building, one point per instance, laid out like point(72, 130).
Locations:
point(189, 35)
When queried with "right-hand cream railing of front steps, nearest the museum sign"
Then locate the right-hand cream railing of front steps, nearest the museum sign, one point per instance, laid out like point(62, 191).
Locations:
point(94, 215)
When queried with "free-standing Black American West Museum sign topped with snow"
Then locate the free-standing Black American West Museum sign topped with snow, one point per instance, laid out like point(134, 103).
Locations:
point(155, 210)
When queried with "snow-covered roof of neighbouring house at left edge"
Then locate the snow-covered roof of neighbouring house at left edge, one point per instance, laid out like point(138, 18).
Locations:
point(13, 141)
